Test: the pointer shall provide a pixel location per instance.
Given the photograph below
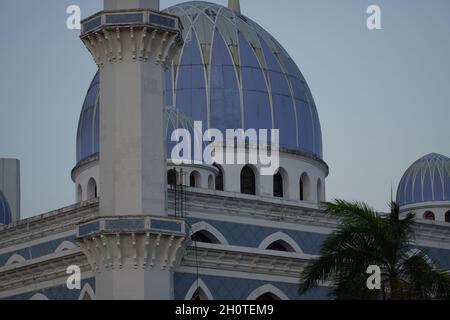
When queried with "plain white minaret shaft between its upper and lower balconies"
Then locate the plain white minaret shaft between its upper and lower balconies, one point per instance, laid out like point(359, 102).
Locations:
point(132, 157)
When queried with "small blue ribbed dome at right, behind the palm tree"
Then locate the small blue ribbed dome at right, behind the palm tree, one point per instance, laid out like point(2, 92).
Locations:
point(427, 180)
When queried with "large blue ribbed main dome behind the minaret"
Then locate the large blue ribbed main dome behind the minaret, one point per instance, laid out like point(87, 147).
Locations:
point(230, 74)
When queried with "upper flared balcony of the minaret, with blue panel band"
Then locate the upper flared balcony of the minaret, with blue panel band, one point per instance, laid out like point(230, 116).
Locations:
point(132, 35)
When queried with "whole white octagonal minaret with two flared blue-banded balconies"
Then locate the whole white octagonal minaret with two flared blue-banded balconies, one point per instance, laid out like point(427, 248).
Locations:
point(133, 245)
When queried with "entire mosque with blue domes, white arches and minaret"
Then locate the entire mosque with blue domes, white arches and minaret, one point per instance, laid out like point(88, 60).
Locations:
point(145, 227)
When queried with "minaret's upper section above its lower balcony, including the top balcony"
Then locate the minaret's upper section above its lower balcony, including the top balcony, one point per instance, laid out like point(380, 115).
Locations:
point(131, 46)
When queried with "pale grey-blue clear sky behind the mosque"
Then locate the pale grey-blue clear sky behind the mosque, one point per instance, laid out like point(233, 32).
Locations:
point(382, 95)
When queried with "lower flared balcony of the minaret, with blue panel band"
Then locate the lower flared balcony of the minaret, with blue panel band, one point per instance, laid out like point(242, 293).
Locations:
point(120, 243)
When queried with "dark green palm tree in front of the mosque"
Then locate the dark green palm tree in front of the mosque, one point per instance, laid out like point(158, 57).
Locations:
point(367, 238)
